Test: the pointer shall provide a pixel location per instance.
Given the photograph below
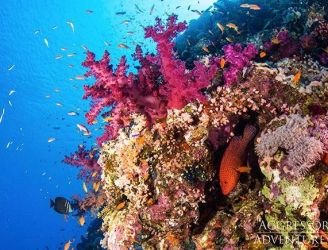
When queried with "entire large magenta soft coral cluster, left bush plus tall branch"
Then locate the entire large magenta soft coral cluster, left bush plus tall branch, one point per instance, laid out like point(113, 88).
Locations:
point(162, 81)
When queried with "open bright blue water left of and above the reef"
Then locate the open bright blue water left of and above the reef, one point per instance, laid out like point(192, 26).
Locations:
point(31, 168)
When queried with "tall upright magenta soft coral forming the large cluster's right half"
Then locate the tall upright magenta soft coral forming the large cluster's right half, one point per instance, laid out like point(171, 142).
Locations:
point(181, 86)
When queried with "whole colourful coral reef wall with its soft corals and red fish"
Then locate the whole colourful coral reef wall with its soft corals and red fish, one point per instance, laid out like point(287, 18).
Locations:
point(179, 129)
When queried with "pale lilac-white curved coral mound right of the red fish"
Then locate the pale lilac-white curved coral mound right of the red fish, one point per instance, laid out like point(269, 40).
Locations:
point(303, 149)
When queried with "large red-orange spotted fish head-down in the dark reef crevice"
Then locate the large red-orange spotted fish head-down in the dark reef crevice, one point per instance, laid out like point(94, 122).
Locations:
point(233, 158)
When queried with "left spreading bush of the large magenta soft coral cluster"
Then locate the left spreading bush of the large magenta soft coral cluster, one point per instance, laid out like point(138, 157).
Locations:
point(122, 93)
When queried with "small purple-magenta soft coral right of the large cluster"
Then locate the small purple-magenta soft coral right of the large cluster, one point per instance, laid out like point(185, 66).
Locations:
point(238, 58)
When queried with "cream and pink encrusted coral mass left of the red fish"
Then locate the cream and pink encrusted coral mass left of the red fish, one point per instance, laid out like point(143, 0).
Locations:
point(161, 172)
